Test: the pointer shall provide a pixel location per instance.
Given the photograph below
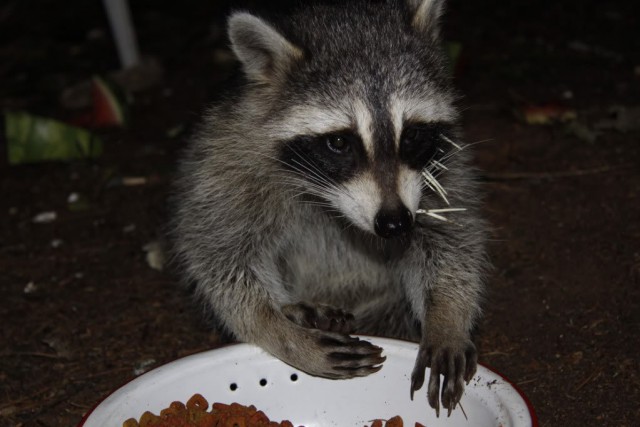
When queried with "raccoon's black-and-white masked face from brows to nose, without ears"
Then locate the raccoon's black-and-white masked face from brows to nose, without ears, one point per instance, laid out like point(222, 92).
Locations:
point(369, 166)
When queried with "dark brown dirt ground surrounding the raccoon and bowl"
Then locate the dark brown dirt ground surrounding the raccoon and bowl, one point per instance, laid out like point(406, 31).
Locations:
point(562, 317)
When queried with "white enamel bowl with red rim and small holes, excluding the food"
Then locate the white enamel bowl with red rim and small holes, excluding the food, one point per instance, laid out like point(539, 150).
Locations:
point(245, 374)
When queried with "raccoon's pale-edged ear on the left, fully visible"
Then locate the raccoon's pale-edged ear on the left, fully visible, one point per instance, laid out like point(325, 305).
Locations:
point(263, 51)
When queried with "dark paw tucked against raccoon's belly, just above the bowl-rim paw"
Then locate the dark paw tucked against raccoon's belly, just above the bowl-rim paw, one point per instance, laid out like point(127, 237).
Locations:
point(323, 317)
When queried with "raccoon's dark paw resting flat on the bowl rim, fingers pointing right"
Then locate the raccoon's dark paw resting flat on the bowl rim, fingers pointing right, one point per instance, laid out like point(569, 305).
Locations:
point(341, 356)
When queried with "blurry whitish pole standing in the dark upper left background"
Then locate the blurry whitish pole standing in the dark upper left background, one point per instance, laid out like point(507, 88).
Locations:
point(123, 32)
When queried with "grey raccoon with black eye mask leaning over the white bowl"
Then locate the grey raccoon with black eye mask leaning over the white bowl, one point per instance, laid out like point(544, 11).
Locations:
point(331, 195)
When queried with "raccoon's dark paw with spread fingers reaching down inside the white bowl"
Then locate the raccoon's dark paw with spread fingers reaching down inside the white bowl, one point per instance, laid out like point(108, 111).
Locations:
point(456, 362)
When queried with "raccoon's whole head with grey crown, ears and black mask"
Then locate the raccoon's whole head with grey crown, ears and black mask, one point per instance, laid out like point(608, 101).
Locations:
point(364, 132)
